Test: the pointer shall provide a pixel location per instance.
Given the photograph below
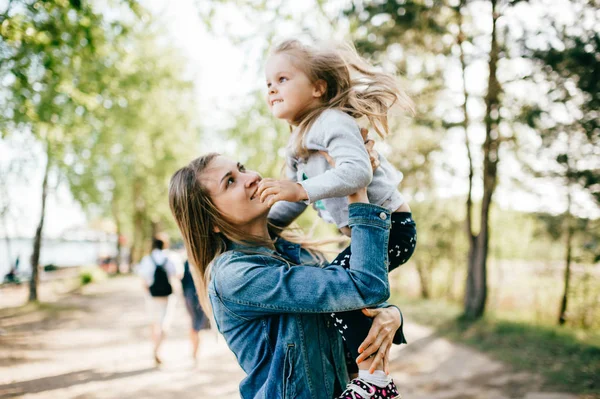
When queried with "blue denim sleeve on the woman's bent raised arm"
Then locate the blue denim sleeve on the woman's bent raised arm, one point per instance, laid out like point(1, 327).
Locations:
point(256, 285)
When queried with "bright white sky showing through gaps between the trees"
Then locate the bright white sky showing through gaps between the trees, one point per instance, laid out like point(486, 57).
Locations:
point(224, 74)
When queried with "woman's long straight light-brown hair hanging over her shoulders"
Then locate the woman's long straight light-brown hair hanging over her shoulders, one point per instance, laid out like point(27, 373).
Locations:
point(197, 218)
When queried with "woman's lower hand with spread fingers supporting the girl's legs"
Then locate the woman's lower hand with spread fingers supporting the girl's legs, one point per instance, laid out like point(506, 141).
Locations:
point(379, 340)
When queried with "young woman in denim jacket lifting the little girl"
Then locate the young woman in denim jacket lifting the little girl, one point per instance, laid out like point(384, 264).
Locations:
point(271, 298)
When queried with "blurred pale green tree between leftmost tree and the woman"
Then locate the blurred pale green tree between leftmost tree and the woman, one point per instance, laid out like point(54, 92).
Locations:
point(149, 130)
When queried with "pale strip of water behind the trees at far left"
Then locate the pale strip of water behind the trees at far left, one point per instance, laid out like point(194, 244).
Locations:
point(54, 251)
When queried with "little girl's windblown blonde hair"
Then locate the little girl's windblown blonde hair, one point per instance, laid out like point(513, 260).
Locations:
point(353, 86)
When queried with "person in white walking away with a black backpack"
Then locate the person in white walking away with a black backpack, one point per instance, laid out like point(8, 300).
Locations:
point(158, 270)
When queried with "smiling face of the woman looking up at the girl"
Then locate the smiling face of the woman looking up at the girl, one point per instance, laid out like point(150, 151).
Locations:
point(232, 189)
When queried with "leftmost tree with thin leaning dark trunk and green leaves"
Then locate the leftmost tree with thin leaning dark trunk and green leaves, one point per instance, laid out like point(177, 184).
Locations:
point(47, 47)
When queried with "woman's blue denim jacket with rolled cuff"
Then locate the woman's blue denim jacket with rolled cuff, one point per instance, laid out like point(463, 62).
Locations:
point(273, 308)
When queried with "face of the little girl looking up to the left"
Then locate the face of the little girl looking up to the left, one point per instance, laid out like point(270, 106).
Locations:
point(289, 90)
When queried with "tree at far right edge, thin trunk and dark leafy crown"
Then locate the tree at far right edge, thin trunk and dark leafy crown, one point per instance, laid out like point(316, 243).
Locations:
point(566, 70)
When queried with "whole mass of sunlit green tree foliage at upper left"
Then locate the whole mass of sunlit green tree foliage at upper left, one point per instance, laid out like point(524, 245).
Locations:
point(107, 100)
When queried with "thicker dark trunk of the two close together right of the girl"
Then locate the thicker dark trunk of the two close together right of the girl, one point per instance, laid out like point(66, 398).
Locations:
point(476, 288)
